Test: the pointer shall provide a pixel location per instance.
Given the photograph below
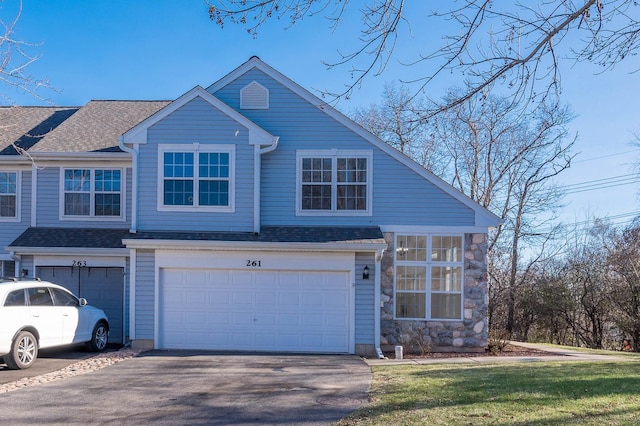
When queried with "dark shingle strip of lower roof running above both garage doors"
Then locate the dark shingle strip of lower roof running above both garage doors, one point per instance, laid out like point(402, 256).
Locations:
point(112, 238)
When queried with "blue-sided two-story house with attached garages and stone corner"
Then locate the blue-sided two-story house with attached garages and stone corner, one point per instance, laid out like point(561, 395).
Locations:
point(245, 216)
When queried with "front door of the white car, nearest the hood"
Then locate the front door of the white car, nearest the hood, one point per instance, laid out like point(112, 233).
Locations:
point(75, 320)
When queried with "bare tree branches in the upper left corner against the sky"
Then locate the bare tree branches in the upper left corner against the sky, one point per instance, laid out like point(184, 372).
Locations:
point(16, 55)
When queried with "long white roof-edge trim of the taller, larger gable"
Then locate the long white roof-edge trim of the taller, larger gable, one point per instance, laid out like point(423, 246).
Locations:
point(484, 217)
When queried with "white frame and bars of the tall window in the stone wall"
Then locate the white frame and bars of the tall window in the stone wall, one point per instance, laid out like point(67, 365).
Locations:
point(428, 264)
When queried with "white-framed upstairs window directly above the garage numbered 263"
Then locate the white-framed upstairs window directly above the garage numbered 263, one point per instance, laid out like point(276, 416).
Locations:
point(92, 193)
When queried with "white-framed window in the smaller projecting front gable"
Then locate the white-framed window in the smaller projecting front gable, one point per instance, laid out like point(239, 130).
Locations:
point(196, 177)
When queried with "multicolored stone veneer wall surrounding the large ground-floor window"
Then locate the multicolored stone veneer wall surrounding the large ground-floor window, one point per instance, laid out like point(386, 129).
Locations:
point(468, 335)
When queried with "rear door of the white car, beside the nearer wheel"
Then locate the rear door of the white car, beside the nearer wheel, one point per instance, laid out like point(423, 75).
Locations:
point(45, 316)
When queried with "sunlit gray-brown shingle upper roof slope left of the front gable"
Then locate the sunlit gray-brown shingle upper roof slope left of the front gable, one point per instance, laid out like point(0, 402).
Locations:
point(97, 125)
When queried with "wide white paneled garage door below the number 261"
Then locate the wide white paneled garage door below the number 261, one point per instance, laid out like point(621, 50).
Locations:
point(293, 311)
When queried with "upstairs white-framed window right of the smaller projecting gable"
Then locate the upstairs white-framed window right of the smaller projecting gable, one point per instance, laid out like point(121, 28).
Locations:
point(334, 182)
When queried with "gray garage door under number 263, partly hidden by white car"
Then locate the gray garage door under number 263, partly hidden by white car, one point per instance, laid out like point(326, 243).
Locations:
point(102, 287)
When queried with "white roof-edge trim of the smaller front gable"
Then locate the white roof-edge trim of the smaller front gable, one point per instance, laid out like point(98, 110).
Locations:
point(138, 134)
